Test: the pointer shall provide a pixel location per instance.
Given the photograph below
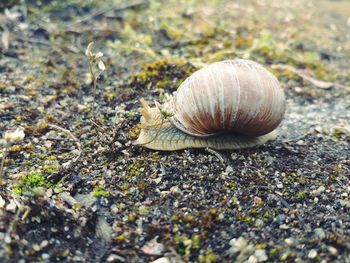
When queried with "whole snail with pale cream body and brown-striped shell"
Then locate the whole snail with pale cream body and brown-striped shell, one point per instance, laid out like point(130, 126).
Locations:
point(232, 104)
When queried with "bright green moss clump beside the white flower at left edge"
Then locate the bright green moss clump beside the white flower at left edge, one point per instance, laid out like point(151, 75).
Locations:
point(29, 182)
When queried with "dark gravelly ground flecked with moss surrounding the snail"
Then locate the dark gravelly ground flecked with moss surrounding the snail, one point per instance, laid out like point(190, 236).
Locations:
point(78, 190)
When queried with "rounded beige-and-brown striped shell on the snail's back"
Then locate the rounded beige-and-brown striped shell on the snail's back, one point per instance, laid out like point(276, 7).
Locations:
point(233, 95)
